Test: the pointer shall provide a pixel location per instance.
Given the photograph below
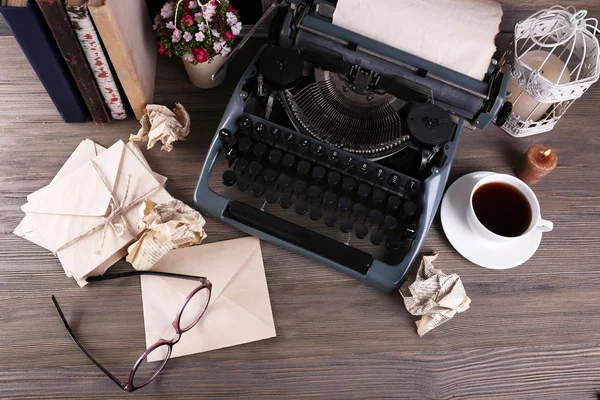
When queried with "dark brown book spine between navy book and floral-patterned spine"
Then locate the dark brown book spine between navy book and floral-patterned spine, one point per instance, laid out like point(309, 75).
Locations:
point(58, 22)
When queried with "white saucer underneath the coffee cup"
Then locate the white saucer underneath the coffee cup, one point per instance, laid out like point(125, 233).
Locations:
point(480, 251)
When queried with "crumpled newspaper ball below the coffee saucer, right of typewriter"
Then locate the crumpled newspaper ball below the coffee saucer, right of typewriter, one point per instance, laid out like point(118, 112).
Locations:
point(434, 295)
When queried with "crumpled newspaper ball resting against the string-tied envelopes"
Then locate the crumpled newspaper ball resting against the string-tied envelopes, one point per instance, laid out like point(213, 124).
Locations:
point(166, 226)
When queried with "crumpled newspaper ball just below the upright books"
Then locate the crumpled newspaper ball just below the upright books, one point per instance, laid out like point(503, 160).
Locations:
point(160, 123)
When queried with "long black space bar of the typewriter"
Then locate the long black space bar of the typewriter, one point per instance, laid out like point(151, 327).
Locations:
point(326, 247)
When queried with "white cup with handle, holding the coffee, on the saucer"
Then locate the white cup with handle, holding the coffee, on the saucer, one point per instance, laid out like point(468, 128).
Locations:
point(537, 223)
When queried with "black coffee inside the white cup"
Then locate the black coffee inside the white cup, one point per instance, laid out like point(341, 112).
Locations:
point(502, 209)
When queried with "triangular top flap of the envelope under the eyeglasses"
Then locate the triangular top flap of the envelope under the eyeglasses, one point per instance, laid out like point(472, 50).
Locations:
point(220, 262)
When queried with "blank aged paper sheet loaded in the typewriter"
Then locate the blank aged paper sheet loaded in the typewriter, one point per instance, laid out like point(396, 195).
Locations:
point(458, 34)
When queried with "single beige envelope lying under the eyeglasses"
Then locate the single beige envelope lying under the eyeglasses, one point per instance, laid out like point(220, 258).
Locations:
point(239, 310)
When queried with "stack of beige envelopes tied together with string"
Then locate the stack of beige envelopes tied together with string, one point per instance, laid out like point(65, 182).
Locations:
point(88, 214)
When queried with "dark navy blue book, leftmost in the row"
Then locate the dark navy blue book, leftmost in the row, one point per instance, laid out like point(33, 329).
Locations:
point(31, 32)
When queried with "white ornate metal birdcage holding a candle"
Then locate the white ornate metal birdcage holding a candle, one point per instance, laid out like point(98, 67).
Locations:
point(555, 58)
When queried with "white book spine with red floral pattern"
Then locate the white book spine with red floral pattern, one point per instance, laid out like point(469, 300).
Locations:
point(92, 49)
